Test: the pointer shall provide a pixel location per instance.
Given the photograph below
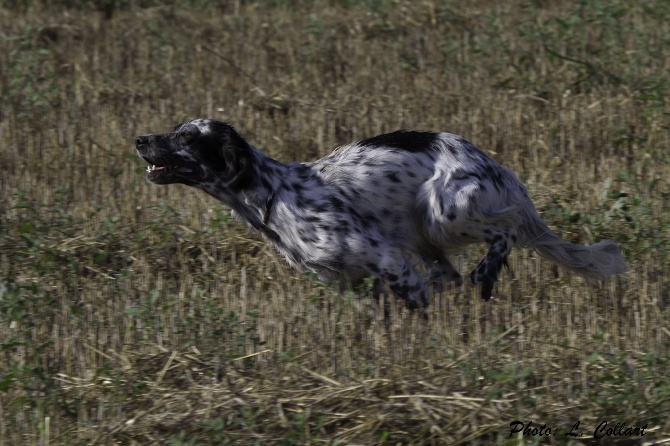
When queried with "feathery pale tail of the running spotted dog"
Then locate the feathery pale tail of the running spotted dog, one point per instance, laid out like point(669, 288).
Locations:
point(595, 261)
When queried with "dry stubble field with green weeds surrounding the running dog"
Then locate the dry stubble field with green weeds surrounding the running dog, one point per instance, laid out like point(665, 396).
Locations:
point(134, 314)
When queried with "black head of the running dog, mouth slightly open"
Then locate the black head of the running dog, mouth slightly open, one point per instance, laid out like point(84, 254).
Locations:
point(197, 152)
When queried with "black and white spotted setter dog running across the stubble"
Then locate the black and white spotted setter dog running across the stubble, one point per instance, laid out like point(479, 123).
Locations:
point(373, 208)
